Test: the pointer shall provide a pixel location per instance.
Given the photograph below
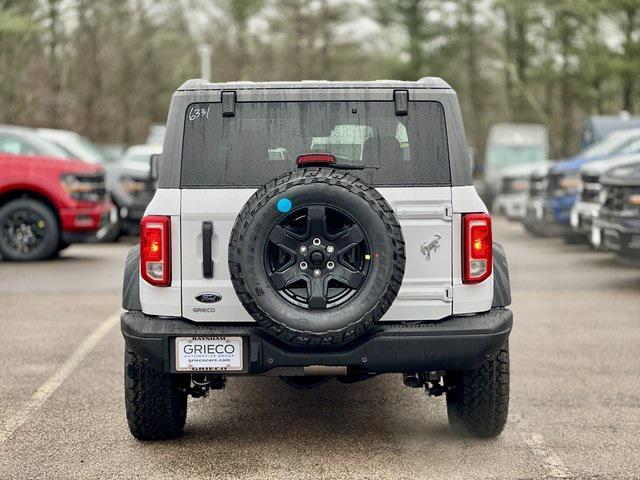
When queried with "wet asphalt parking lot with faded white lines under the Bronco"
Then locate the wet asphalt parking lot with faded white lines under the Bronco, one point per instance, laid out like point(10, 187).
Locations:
point(575, 402)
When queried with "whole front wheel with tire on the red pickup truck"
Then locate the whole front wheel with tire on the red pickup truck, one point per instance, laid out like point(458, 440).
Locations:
point(29, 231)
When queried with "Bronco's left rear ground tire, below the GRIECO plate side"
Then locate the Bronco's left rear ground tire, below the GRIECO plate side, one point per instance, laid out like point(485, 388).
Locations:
point(156, 403)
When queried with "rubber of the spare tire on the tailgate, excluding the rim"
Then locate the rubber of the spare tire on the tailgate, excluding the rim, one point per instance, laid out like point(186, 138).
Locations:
point(243, 247)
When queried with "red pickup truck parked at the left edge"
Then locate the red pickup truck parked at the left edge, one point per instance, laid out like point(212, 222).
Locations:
point(47, 201)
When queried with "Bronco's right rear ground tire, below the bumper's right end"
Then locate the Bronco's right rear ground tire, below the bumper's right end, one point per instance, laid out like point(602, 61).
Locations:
point(478, 403)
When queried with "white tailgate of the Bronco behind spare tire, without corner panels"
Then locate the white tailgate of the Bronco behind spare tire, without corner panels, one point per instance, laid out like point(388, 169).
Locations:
point(423, 213)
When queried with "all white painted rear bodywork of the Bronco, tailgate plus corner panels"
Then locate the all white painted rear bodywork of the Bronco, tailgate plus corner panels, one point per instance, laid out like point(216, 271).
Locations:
point(431, 289)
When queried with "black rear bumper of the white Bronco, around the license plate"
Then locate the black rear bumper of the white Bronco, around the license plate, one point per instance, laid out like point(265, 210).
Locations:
point(455, 343)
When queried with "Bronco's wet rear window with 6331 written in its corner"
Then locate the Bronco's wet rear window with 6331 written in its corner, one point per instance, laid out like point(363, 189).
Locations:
point(264, 139)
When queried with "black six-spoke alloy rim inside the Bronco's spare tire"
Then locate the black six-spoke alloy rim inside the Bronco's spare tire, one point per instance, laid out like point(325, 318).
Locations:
point(317, 257)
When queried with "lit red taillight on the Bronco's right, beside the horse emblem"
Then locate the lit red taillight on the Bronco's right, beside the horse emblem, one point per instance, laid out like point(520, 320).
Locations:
point(477, 247)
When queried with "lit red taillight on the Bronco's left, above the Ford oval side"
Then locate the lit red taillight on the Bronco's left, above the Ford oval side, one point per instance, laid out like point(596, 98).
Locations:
point(155, 250)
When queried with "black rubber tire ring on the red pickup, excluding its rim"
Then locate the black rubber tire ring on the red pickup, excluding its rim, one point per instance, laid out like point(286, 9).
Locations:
point(49, 244)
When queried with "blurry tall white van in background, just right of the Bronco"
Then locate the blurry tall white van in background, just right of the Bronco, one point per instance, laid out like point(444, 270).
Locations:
point(512, 145)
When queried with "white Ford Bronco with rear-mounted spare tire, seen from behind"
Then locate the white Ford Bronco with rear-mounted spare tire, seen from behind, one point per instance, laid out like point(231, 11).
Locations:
point(315, 231)
